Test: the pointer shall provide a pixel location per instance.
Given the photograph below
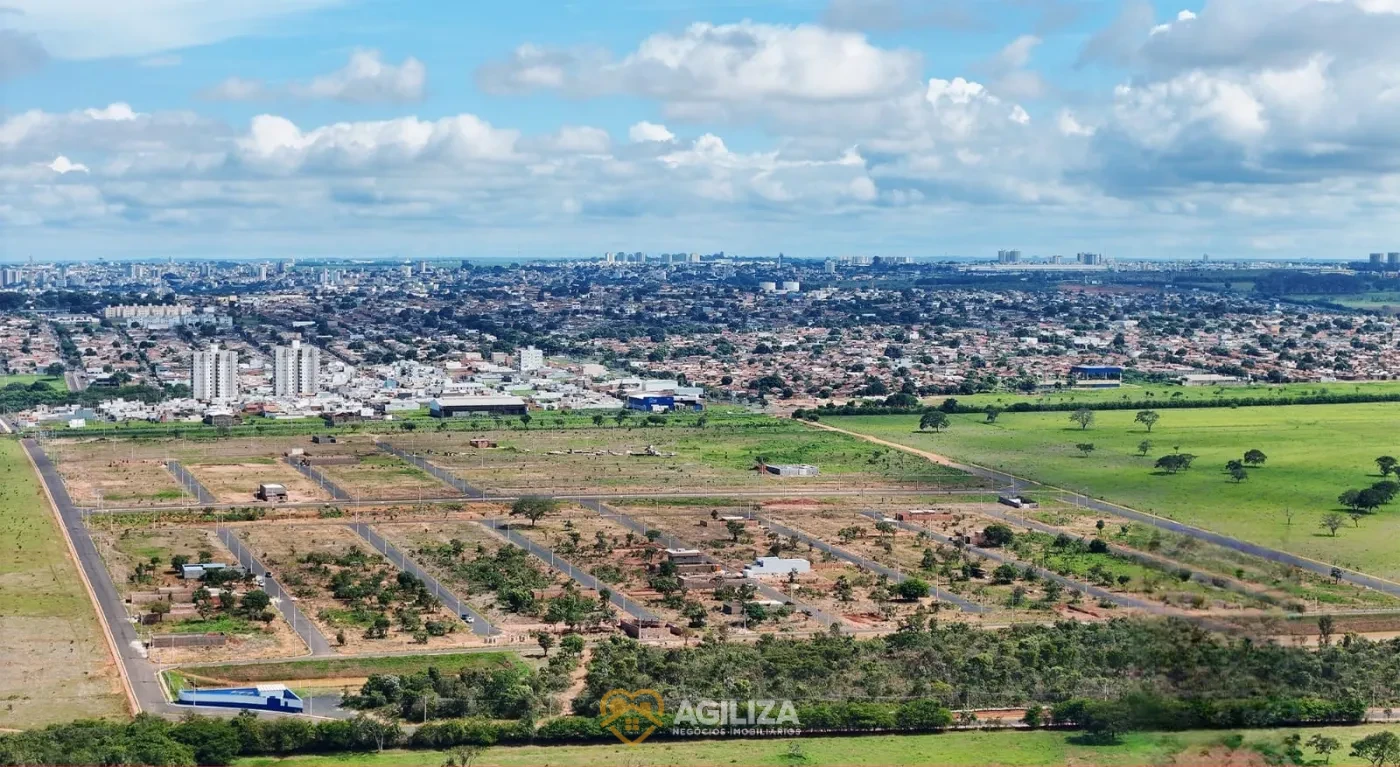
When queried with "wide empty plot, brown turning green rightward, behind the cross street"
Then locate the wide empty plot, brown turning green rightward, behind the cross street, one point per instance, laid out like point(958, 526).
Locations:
point(675, 460)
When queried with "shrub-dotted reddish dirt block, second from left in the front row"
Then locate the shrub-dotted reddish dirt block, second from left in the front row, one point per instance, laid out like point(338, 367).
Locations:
point(309, 558)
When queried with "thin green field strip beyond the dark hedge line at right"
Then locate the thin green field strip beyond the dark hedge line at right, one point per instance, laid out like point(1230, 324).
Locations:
point(1177, 394)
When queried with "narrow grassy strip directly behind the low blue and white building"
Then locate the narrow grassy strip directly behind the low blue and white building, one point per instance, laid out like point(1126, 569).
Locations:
point(332, 668)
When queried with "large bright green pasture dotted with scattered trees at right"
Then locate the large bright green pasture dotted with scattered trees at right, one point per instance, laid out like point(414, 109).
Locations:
point(1314, 453)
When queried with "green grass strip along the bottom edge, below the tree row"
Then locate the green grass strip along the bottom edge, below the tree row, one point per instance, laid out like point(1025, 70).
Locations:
point(951, 750)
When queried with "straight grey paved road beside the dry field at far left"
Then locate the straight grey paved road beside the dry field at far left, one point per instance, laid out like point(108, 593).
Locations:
point(141, 671)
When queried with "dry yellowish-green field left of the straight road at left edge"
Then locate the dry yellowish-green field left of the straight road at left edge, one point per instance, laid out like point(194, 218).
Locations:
point(55, 664)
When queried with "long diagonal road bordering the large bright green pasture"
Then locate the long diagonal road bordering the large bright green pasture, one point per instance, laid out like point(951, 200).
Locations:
point(1018, 485)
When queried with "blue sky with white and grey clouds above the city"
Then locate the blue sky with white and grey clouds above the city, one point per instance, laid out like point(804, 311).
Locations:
point(815, 128)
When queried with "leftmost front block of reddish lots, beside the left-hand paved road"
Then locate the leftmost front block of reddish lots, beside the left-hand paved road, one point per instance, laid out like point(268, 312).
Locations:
point(141, 563)
